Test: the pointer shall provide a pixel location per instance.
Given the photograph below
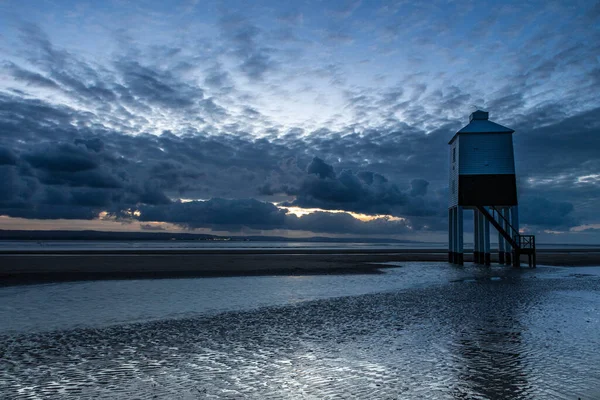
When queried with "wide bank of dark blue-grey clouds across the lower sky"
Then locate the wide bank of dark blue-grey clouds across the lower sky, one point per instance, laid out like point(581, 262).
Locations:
point(84, 173)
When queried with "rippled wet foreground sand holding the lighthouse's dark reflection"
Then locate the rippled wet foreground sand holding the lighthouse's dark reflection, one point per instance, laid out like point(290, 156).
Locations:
point(489, 334)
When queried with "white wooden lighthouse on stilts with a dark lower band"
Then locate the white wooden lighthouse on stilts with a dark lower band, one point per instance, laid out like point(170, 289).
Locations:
point(482, 179)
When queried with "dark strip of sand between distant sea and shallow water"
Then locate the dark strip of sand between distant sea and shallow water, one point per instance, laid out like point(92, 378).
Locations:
point(19, 267)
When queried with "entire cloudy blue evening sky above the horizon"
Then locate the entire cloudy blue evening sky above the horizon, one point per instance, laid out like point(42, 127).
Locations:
point(302, 118)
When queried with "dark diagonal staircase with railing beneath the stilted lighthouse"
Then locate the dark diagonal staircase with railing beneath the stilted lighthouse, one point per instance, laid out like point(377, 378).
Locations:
point(521, 244)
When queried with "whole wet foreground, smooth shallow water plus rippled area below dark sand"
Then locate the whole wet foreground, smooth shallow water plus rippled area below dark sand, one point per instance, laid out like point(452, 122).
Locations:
point(425, 329)
